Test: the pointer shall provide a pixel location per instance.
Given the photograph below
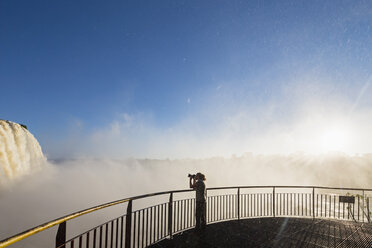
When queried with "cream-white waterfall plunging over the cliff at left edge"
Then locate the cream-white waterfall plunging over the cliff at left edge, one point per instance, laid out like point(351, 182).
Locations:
point(20, 153)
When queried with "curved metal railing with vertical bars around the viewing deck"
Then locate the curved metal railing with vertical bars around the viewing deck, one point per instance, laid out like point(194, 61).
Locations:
point(143, 227)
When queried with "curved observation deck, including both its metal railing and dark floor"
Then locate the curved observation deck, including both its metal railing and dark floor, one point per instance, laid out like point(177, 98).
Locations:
point(241, 216)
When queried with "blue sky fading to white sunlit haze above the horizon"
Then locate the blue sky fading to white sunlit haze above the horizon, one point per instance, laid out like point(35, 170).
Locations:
point(184, 78)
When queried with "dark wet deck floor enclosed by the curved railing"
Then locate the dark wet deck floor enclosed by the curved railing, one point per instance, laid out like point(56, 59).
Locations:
point(276, 232)
